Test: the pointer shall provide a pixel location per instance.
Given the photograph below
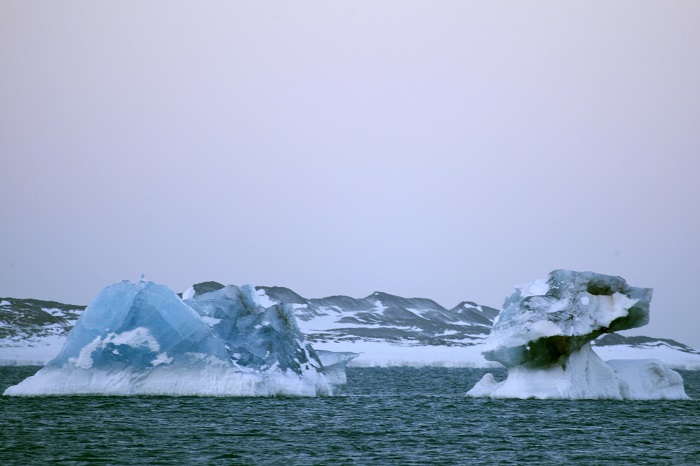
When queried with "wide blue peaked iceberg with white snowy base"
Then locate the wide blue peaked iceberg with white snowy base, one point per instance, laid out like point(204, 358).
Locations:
point(141, 339)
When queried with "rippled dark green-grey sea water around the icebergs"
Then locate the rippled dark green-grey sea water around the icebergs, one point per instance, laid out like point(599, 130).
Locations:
point(384, 416)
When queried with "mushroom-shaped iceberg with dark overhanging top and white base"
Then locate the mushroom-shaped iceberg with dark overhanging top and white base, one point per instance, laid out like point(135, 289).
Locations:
point(543, 336)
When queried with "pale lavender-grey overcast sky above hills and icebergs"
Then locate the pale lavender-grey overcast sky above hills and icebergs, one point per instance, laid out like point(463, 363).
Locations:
point(447, 150)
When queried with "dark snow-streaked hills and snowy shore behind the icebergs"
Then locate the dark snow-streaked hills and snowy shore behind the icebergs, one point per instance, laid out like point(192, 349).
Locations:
point(385, 329)
